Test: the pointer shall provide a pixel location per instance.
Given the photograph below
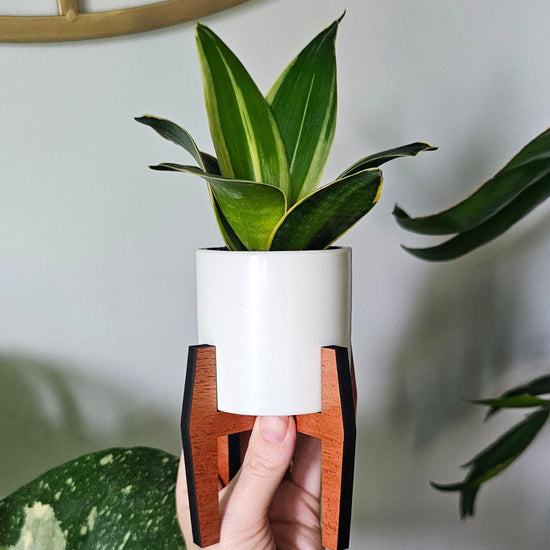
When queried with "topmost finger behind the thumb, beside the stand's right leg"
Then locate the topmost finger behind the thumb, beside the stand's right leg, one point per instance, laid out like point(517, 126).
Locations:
point(306, 466)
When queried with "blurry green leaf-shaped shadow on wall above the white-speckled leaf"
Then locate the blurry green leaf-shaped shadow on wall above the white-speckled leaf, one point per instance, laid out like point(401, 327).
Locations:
point(44, 421)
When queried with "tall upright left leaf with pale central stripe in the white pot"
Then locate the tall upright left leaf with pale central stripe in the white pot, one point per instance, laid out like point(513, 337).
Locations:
point(243, 129)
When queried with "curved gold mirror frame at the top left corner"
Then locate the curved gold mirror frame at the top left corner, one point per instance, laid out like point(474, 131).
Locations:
point(71, 24)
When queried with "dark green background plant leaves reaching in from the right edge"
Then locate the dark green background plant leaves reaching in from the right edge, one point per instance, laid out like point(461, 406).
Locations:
point(499, 203)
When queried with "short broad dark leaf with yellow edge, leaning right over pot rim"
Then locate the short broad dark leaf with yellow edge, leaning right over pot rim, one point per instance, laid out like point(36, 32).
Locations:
point(322, 217)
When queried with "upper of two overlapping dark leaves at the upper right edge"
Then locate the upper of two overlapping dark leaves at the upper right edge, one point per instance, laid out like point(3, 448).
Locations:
point(527, 168)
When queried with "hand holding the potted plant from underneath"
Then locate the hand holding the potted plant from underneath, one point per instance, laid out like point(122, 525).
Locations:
point(264, 507)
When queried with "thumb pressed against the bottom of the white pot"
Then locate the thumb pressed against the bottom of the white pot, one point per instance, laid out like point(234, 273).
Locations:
point(265, 464)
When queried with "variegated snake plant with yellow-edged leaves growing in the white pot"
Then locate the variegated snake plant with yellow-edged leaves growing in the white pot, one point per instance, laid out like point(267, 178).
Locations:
point(271, 151)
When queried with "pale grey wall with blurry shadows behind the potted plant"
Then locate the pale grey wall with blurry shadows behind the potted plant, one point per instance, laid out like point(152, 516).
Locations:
point(97, 252)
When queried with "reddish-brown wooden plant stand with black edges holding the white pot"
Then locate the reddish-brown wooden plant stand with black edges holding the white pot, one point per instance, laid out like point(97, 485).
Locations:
point(211, 444)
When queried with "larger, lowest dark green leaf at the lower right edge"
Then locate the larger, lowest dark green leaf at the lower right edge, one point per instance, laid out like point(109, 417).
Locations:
point(495, 458)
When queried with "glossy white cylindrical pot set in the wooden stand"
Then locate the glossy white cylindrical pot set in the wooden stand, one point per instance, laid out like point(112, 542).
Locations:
point(269, 313)
